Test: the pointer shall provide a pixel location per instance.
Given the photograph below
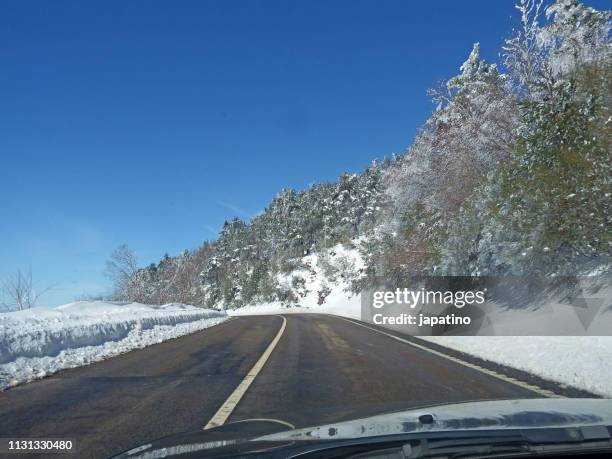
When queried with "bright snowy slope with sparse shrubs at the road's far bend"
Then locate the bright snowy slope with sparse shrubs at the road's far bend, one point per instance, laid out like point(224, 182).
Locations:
point(319, 284)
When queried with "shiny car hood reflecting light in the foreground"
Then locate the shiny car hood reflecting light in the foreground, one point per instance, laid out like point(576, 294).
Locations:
point(263, 435)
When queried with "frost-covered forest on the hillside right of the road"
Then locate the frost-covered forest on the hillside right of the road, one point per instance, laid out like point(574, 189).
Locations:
point(511, 175)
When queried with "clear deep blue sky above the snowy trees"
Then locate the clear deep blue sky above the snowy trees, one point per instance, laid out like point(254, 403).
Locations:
point(151, 122)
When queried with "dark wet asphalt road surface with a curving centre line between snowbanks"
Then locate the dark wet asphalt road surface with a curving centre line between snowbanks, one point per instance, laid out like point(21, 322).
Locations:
point(323, 369)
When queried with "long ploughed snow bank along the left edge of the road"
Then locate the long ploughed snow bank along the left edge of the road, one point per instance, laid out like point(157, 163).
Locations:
point(37, 342)
